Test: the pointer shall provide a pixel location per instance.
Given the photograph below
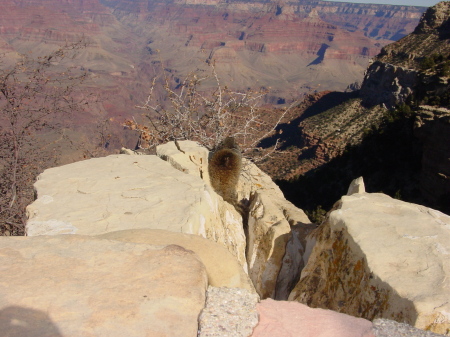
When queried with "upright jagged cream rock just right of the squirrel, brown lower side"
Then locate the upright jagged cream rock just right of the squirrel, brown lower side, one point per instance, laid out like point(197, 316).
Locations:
point(271, 220)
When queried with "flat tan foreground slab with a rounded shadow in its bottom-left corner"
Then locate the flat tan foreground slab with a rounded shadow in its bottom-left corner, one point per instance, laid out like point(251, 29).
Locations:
point(74, 285)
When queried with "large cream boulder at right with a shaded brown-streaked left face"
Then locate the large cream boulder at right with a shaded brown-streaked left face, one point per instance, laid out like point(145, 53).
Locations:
point(380, 257)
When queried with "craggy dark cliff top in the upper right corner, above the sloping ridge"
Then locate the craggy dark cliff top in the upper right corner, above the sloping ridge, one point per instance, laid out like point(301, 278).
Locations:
point(399, 70)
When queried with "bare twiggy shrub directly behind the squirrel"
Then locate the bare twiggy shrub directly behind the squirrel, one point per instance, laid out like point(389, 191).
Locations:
point(192, 114)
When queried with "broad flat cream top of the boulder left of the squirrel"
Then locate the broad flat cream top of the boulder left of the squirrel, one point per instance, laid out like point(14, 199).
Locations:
point(117, 192)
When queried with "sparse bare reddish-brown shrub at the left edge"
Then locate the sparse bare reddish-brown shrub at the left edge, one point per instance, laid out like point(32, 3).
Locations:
point(33, 91)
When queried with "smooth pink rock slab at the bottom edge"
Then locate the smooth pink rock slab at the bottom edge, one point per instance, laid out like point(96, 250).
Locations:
point(282, 318)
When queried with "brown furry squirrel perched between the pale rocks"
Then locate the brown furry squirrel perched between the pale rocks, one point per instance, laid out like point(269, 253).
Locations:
point(224, 169)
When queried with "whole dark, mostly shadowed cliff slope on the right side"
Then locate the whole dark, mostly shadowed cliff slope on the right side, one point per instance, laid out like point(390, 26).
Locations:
point(394, 131)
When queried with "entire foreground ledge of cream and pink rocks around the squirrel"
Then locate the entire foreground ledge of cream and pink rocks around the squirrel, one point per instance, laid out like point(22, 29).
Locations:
point(147, 236)
